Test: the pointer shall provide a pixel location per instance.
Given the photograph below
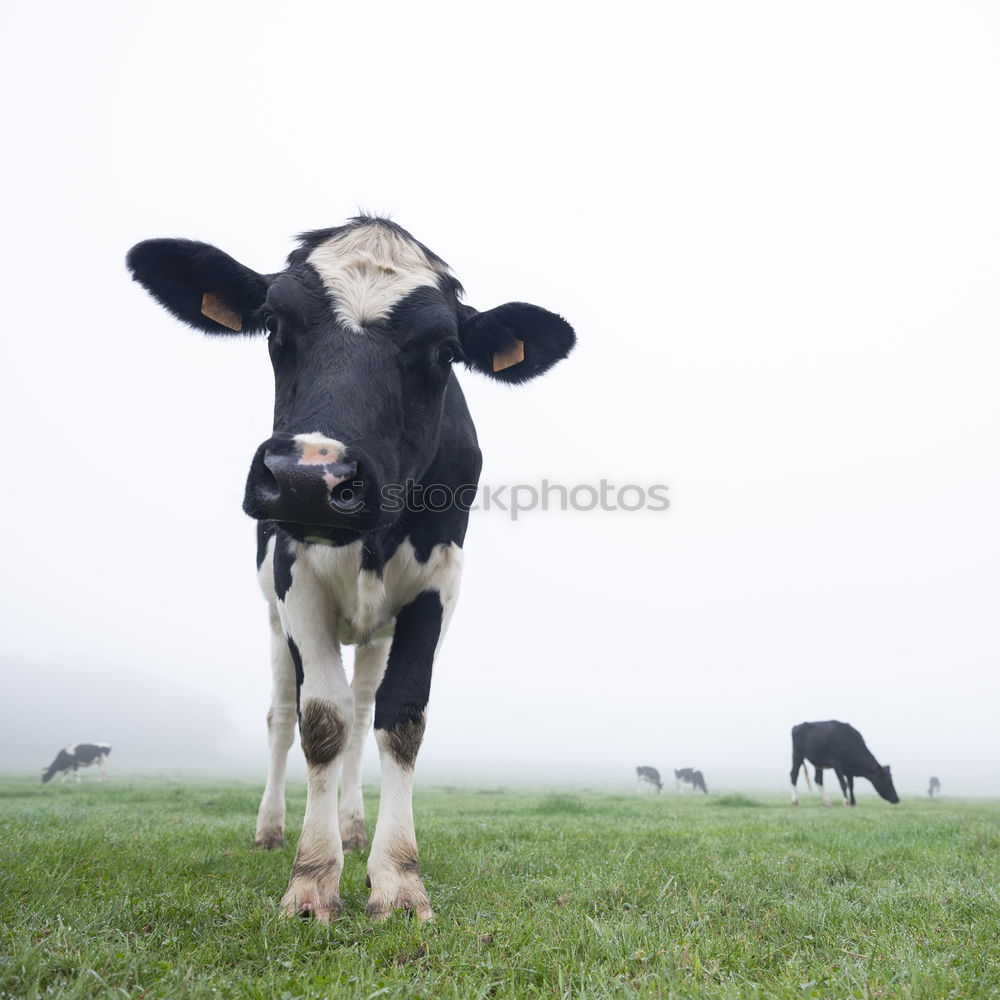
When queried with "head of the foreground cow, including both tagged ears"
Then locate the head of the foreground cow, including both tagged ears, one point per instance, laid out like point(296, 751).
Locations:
point(363, 327)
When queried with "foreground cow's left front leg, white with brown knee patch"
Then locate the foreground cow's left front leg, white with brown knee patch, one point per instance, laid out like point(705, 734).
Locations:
point(326, 718)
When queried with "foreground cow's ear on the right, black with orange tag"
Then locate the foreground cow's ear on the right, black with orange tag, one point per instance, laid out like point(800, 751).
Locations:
point(514, 342)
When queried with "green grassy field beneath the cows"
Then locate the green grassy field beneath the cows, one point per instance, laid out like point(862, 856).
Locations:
point(149, 889)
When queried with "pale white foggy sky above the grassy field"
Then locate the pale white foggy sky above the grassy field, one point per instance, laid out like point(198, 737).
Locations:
point(776, 230)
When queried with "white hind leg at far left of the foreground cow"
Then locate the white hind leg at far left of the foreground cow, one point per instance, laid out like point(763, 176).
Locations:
point(280, 735)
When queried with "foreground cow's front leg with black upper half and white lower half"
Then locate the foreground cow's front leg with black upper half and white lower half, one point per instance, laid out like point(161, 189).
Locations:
point(400, 706)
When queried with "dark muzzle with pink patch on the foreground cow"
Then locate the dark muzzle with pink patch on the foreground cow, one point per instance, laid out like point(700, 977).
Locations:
point(305, 479)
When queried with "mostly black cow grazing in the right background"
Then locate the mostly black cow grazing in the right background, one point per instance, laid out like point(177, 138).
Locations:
point(840, 746)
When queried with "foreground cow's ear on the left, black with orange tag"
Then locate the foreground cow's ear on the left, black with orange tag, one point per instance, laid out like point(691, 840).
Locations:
point(199, 284)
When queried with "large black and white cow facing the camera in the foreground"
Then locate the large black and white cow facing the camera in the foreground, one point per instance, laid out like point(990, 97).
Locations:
point(362, 497)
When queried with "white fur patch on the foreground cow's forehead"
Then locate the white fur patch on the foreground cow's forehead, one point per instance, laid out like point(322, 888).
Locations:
point(369, 269)
